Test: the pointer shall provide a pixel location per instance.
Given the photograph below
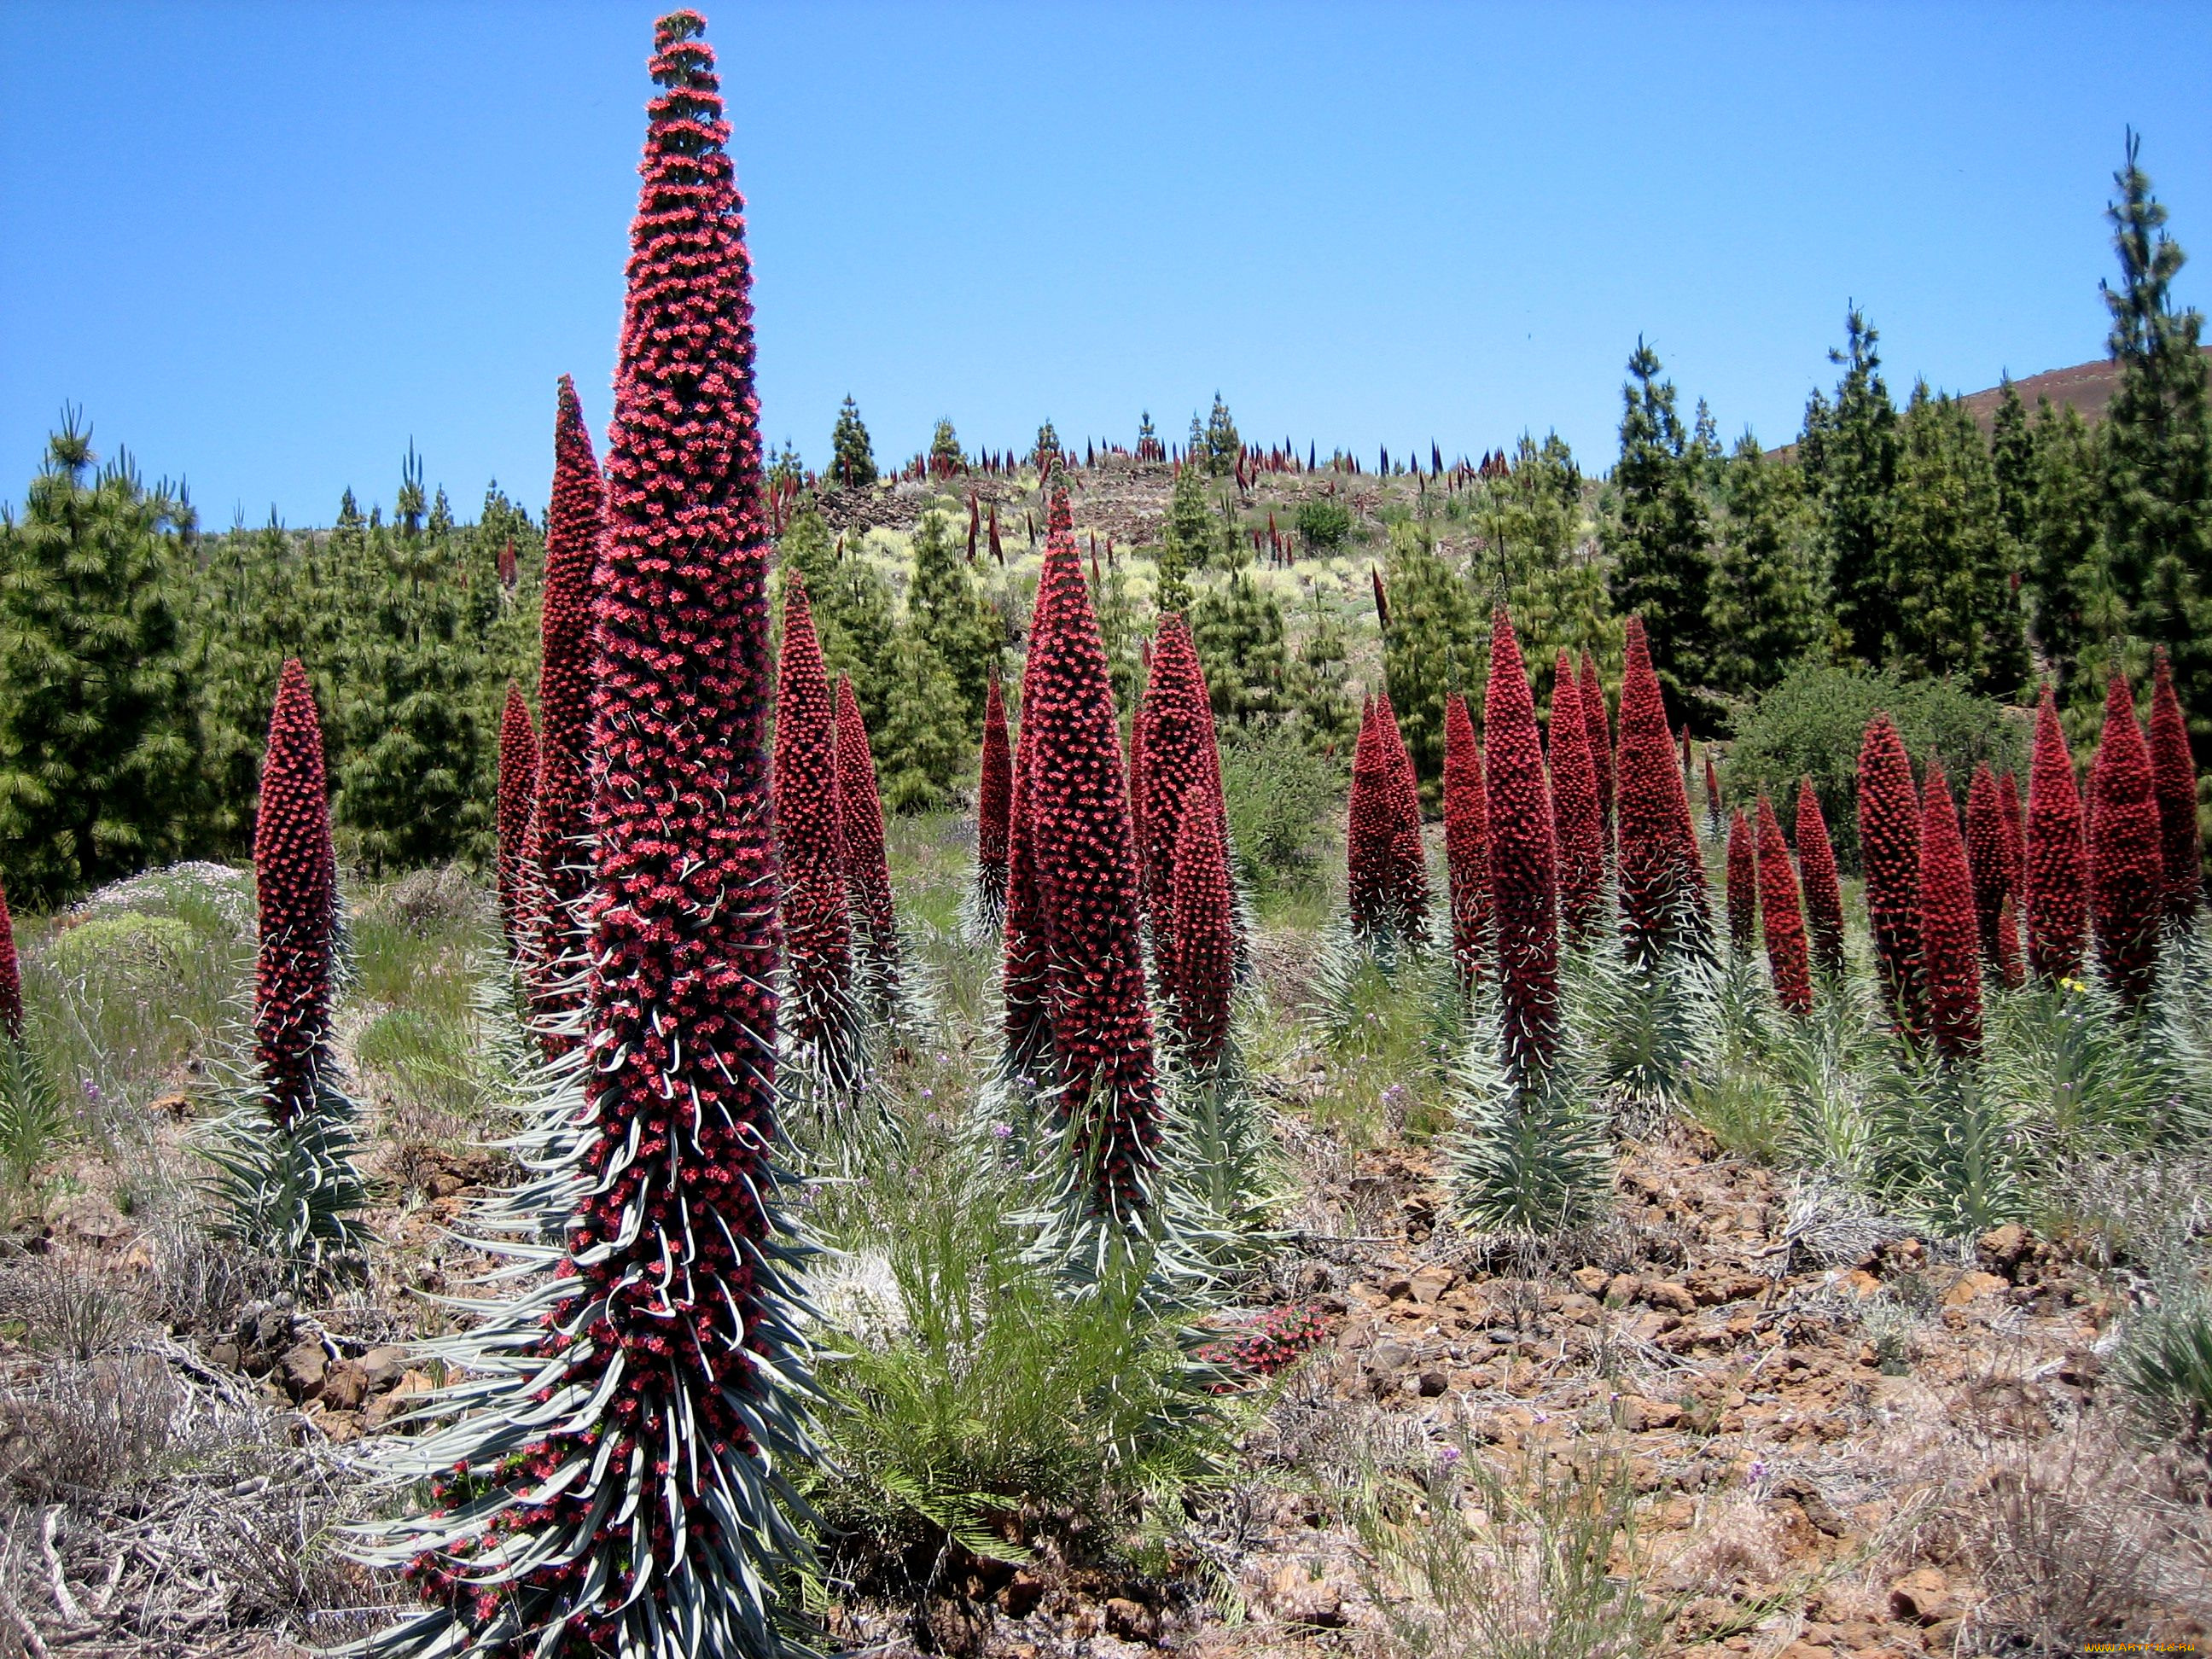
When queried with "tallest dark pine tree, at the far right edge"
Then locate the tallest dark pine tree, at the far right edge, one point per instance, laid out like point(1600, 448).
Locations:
point(2158, 446)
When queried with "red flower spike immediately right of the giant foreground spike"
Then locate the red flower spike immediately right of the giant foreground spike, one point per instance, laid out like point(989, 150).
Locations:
point(817, 928)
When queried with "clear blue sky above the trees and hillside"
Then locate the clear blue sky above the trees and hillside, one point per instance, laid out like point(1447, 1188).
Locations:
point(269, 244)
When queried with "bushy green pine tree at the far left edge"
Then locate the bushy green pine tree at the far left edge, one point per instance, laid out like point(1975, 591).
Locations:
point(98, 735)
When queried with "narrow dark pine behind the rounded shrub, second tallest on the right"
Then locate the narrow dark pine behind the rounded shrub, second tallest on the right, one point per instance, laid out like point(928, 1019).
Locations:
point(1850, 455)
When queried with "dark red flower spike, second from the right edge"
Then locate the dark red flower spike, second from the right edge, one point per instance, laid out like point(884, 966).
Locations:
point(2127, 859)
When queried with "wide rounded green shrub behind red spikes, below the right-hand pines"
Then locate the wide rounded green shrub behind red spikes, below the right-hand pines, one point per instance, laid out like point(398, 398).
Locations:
point(1813, 722)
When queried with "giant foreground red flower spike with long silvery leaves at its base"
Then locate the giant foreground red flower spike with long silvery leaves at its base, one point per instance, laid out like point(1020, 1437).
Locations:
point(656, 1379)
